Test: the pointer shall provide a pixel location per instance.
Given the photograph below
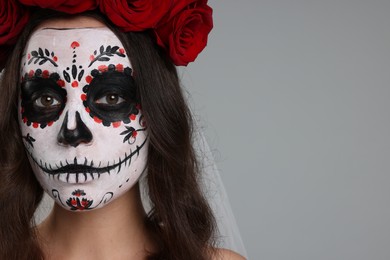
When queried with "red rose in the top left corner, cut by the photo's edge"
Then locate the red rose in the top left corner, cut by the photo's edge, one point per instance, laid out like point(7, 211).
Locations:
point(13, 18)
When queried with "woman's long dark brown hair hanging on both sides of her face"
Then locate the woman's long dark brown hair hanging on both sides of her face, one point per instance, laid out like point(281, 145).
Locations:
point(181, 220)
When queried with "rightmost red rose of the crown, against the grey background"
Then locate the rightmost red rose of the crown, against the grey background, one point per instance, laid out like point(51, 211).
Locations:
point(184, 35)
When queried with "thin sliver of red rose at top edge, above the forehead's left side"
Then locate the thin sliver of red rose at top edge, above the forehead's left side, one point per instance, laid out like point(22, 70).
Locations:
point(66, 6)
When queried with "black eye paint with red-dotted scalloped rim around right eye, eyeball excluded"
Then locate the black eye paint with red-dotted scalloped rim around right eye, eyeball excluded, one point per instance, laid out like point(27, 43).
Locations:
point(111, 80)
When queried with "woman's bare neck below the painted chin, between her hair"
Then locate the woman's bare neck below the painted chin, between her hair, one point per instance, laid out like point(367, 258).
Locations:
point(116, 231)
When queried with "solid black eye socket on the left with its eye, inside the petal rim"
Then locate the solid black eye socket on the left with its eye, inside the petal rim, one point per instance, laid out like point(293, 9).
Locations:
point(42, 100)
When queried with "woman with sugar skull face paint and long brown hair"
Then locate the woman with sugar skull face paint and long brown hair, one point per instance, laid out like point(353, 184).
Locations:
point(85, 110)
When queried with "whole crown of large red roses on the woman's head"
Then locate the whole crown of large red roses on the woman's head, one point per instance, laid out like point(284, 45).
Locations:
point(180, 27)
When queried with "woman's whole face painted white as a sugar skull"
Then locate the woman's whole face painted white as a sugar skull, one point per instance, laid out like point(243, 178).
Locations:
point(81, 124)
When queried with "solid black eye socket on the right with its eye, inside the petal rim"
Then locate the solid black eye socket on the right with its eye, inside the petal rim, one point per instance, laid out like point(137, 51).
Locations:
point(111, 96)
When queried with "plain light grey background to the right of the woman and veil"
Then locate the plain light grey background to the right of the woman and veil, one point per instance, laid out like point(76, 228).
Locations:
point(294, 97)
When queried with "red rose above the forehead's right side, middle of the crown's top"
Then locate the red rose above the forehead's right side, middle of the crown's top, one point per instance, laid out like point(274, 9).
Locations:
point(135, 15)
